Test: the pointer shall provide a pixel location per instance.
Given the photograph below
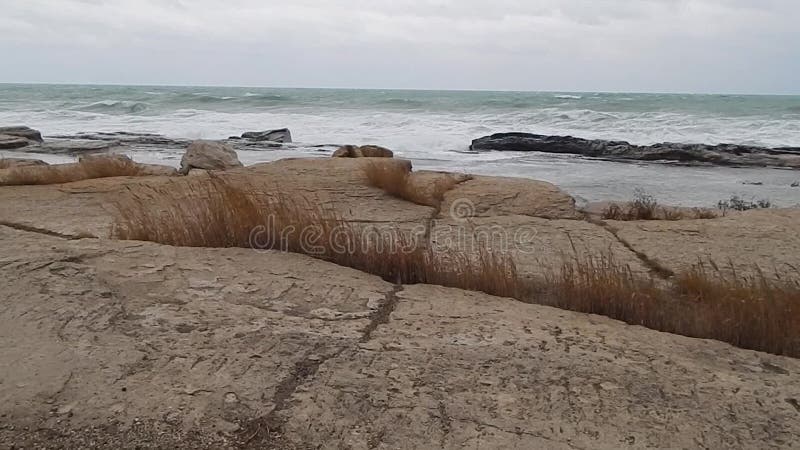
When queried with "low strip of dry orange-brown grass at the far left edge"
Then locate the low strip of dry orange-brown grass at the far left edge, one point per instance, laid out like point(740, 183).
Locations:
point(66, 173)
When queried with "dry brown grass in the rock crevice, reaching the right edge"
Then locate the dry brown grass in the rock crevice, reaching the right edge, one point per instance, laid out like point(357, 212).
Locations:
point(754, 313)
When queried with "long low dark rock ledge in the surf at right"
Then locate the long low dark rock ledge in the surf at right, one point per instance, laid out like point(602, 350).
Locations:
point(722, 154)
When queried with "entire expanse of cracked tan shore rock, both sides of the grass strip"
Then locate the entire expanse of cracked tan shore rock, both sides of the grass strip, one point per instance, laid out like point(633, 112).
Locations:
point(129, 344)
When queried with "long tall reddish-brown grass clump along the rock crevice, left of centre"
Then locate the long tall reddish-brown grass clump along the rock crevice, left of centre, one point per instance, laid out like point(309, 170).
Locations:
point(213, 213)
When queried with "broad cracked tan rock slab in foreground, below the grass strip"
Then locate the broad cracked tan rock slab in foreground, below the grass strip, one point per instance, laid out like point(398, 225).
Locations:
point(128, 344)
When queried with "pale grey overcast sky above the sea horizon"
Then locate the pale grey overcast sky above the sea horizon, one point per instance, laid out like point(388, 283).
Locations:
point(696, 46)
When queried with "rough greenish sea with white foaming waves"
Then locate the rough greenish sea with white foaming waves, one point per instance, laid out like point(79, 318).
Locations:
point(434, 130)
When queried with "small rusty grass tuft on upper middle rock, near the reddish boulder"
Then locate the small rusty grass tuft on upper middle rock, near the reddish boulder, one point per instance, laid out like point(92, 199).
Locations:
point(396, 180)
